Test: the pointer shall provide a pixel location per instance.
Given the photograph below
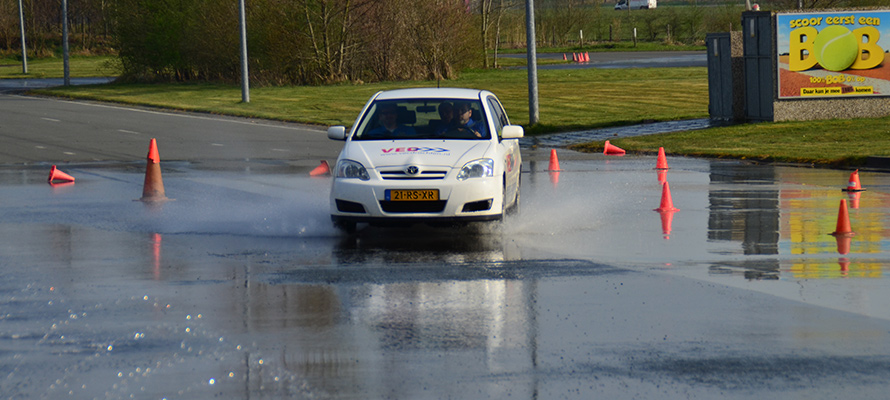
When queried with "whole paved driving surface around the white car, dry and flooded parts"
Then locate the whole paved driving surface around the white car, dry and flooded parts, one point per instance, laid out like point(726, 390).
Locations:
point(240, 288)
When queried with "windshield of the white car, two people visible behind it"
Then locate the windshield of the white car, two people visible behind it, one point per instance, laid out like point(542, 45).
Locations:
point(423, 119)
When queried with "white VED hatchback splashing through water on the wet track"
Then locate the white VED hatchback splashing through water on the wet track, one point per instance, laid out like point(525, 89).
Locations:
point(403, 163)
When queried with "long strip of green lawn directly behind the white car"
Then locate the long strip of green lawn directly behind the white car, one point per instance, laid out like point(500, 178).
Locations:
point(569, 100)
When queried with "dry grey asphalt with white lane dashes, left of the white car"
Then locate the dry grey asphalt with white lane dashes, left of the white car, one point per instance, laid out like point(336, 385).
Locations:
point(46, 130)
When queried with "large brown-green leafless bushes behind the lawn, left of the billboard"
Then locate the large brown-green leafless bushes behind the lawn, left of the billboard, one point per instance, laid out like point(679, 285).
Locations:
point(294, 42)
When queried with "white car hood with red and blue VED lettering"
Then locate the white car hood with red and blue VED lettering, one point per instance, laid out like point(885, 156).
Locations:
point(388, 153)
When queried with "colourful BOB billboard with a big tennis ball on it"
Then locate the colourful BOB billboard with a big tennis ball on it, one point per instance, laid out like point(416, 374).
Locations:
point(833, 54)
